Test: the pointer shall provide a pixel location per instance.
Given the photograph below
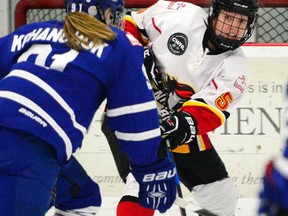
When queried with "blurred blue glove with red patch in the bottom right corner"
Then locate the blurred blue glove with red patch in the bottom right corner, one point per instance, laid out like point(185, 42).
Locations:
point(274, 195)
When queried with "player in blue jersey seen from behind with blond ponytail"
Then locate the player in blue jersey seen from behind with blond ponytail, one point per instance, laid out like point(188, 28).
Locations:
point(54, 76)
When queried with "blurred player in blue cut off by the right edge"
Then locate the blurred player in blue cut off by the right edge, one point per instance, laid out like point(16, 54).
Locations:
point(274, 194)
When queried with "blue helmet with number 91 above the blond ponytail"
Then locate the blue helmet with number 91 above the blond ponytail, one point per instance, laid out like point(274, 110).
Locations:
point(107, 11)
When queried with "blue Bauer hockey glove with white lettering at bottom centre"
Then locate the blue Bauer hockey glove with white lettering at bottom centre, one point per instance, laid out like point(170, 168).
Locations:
point(157, 185)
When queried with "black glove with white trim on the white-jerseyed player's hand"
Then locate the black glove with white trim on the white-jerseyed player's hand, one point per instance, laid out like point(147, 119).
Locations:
point(178, 129)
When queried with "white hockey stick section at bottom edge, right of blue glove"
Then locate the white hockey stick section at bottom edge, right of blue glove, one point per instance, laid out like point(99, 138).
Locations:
point(192, 207)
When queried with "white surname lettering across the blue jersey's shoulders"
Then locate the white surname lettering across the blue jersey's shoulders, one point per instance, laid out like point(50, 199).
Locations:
point(51, 35)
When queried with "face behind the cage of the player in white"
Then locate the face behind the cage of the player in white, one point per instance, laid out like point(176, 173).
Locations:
point(230, 25)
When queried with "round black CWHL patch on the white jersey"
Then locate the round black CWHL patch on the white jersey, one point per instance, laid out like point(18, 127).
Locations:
point(177, 43)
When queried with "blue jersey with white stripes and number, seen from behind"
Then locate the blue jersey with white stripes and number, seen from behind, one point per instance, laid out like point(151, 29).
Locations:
point(53, 91)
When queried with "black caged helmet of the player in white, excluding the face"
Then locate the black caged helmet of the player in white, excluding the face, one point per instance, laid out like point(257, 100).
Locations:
point(244, 7)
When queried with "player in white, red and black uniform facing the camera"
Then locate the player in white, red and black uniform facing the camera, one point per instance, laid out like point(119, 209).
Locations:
point(200, 79)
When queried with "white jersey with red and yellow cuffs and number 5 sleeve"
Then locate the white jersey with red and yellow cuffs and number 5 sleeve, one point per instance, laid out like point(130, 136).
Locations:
point(208, 86)
